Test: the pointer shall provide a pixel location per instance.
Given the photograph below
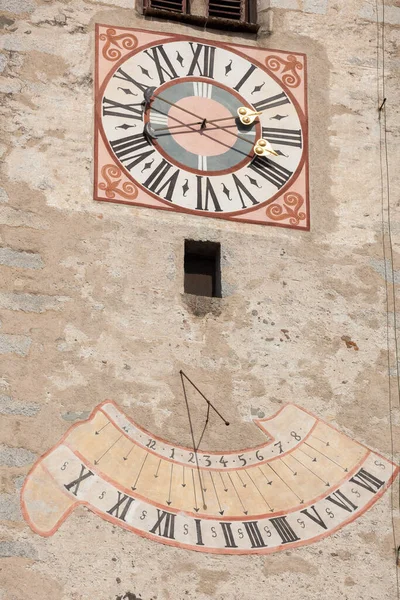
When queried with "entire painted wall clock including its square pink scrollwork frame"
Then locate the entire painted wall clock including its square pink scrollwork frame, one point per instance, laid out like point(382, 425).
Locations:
point(218, 130)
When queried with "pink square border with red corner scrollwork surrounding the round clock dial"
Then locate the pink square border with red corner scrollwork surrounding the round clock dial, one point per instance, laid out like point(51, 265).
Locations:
point(114, 45)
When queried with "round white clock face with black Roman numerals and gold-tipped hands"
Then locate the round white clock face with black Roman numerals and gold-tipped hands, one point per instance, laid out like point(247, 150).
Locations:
point(186, 146)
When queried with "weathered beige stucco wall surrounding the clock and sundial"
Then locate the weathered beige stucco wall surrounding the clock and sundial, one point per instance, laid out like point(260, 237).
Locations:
point(93, 307)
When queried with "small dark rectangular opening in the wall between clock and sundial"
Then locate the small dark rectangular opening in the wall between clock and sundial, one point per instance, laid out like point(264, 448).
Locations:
point(202, 268)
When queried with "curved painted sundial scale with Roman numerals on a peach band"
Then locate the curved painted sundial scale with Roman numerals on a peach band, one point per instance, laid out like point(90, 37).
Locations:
point(304, 483)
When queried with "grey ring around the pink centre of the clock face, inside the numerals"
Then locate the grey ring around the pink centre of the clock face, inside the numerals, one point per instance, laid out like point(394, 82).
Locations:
point(228, 158)
